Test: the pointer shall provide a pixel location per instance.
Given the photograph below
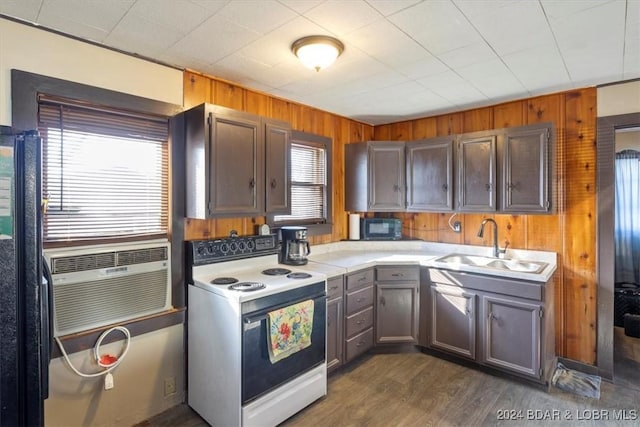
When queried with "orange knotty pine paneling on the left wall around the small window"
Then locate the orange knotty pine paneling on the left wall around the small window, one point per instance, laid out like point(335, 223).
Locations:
point(199, 88)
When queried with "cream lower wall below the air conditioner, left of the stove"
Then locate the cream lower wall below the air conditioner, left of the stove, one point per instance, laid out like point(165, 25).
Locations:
point(138, 391)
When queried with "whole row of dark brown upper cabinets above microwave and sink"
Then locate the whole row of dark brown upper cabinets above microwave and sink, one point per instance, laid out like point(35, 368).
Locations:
point(501, 170)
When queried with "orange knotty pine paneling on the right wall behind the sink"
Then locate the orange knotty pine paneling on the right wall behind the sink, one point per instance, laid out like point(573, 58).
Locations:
point(570, 231)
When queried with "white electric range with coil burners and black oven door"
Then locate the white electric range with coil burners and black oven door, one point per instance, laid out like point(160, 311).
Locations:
point(234, 284)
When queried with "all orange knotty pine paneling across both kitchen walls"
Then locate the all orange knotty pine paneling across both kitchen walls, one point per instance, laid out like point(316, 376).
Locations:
point(570, 231)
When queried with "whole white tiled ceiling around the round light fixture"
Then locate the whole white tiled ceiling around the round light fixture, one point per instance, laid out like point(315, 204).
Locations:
point(403, 58)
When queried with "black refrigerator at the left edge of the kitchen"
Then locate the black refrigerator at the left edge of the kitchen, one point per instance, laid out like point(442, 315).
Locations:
point(25, 341)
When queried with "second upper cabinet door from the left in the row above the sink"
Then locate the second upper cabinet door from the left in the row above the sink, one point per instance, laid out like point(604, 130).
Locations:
point(430, 174)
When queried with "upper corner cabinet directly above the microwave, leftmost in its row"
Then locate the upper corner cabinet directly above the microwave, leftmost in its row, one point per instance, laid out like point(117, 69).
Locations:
point(375, 176)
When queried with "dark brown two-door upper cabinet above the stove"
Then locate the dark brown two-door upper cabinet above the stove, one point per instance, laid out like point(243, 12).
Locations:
point(237, 163)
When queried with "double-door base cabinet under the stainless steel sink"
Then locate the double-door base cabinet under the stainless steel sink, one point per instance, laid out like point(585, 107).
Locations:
point(494, 321)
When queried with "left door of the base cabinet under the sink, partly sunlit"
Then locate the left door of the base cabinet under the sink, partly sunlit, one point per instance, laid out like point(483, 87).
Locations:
point(453, 321)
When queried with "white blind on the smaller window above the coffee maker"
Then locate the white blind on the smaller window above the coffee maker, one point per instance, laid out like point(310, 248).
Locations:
point(308, 185)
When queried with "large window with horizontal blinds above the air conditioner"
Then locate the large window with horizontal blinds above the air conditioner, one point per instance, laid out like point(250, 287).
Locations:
point(105, 172)
